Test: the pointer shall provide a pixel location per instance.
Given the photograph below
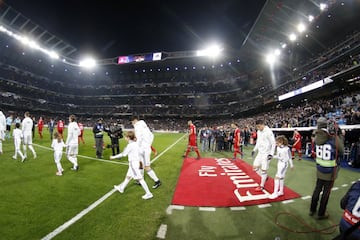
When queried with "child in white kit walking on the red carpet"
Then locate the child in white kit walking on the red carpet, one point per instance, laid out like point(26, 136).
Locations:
point(283, 154)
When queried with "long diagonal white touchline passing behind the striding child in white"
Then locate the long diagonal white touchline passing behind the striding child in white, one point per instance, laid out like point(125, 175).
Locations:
point(92, 206)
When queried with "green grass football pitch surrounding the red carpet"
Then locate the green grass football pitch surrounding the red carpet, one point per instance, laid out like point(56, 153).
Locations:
point(37, 204)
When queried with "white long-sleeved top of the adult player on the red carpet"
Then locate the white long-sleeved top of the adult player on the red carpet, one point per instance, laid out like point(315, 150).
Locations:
point(265, 142)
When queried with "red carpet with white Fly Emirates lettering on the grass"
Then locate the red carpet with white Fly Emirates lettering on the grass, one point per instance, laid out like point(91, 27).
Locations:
point(222, 183)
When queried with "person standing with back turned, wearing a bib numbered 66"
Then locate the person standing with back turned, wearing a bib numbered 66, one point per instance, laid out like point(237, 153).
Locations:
point(328, 147)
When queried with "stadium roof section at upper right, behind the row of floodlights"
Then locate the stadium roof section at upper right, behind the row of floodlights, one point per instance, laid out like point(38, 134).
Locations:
point(279, 18)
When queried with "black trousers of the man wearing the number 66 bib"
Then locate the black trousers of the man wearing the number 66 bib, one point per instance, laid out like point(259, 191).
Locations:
point(325, 187)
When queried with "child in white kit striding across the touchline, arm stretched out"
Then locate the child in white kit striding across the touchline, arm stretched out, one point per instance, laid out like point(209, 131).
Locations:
point(132, 150)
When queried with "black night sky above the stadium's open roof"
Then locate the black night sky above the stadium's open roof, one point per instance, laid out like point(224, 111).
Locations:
point(115, 28)
